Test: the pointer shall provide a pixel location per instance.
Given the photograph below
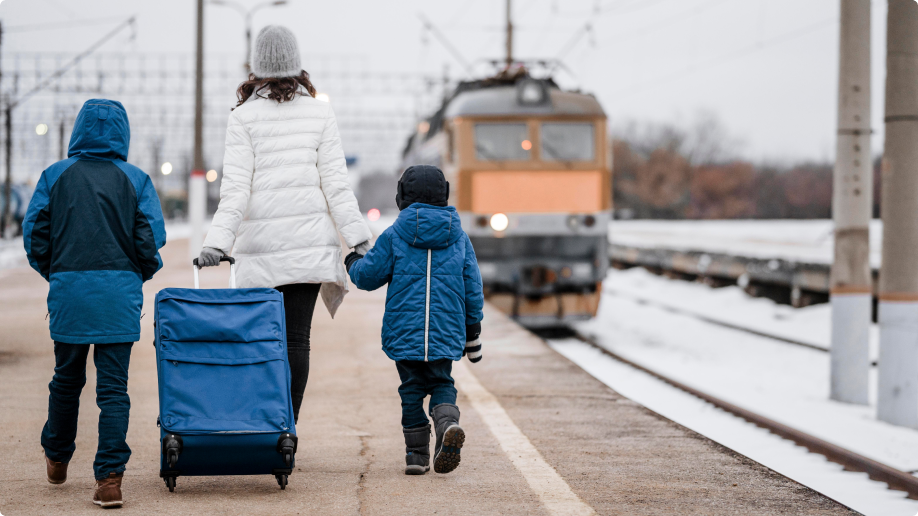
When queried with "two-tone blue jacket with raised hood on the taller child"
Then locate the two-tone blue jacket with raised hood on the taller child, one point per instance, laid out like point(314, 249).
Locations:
point(93, 230)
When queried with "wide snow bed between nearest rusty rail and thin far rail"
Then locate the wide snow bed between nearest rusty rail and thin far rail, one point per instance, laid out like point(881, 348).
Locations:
point(785, 382)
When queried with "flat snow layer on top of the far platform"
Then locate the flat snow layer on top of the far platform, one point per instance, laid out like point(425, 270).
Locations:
point(809, 241)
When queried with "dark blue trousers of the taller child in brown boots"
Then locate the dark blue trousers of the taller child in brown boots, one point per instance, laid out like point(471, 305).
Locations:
point(59, 434)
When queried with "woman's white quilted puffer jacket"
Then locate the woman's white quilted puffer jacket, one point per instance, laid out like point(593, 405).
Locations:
point(284, 191)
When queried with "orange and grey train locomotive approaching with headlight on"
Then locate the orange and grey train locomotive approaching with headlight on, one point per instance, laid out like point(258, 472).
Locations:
point(530, 174)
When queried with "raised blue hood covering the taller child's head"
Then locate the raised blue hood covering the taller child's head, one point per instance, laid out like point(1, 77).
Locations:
point(101, 131)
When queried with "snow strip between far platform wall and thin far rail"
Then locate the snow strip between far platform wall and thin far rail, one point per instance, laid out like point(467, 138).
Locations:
point(730, 305)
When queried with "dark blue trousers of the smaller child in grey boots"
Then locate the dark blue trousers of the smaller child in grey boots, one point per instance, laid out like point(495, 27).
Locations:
point(420, 379)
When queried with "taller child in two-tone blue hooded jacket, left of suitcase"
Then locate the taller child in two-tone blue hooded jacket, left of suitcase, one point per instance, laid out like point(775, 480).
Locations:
point(93, 230)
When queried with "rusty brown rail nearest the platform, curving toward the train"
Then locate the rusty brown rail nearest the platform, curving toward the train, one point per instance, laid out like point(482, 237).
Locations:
point(894, 478)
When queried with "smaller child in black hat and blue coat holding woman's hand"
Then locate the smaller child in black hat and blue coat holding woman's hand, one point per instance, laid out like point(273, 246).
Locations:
point(433, 311)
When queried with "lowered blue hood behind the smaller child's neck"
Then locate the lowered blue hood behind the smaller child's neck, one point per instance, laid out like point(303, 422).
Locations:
point(428, 227)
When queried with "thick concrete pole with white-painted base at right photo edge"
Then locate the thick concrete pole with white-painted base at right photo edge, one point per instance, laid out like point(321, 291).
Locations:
point(898, 368)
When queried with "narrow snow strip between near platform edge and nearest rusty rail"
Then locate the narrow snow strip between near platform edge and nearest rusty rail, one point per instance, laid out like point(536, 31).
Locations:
point(855, 490)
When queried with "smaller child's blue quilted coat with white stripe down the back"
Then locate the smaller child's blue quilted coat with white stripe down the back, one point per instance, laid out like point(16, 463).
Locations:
point(434, 283)
